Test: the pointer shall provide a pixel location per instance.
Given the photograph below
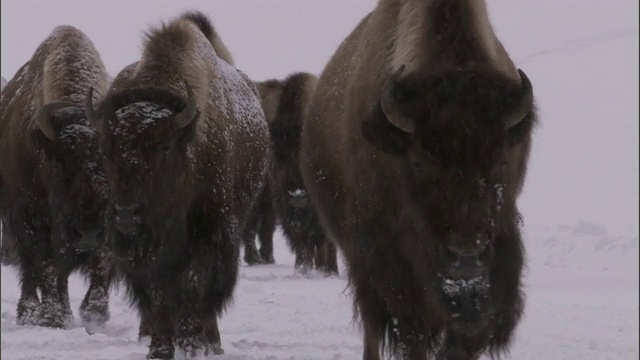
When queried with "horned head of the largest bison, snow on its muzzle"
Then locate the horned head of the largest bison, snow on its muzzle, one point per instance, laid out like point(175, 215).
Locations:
point(461, 140)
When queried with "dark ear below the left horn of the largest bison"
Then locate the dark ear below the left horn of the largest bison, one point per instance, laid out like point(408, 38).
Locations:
point(384, 136)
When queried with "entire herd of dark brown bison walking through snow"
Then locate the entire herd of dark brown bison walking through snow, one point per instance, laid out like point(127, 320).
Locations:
point(408, 153)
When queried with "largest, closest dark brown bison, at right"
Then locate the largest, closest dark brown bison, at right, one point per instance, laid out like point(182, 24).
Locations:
point(414, 150)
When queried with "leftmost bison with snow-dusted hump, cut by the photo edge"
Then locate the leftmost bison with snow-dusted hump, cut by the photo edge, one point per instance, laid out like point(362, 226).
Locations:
point(52, 187)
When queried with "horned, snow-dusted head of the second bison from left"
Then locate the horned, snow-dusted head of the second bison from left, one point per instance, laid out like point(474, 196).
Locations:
point(145, 133)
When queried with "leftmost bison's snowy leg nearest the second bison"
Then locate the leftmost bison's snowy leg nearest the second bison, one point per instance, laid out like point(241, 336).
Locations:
point(94, 310)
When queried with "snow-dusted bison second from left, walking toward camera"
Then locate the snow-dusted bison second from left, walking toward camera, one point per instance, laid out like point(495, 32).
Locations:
point(186, 151)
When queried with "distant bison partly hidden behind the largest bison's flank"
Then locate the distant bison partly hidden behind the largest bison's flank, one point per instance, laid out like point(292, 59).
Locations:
point(284, 102)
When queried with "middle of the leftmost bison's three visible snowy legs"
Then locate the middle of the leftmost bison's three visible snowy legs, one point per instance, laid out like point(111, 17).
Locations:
point(51, 307)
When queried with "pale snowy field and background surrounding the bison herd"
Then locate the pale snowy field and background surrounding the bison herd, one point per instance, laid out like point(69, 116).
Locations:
point(580, 202)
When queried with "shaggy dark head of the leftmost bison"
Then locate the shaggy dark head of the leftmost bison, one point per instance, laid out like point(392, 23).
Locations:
point(73, 173)
